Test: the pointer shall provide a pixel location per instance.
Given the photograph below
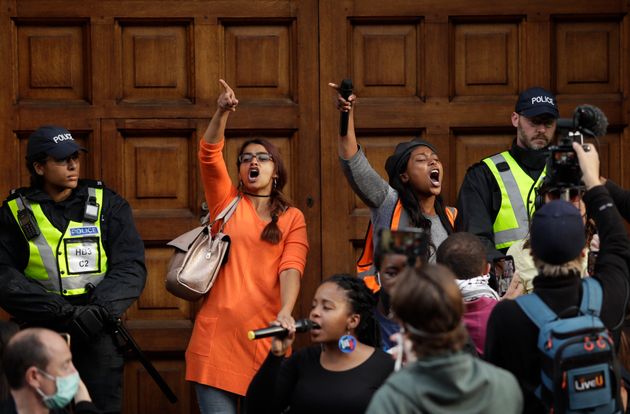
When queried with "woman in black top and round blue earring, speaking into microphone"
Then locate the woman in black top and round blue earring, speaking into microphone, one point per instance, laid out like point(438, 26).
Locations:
point(337, 375)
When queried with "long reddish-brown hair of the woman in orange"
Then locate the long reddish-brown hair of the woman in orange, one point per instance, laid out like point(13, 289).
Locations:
point(278, 202)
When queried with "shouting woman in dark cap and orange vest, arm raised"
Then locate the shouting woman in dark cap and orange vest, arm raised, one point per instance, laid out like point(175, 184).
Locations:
point(410, 199)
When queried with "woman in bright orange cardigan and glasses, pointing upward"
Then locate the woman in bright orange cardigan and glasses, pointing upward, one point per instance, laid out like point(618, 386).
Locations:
point(260, 281)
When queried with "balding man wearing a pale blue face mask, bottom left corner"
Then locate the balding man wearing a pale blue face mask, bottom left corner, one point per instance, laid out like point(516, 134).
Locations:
point(38, 366)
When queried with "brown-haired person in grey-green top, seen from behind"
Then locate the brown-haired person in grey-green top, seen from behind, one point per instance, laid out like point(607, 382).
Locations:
point(438, 375)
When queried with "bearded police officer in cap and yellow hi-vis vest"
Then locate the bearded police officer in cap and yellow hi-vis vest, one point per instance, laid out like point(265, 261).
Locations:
point(497, 194)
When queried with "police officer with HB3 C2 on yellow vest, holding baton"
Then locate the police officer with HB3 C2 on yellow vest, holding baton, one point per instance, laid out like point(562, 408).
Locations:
point(71, 259)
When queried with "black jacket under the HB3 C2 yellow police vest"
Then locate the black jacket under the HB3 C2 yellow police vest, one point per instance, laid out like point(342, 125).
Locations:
point(126, 275)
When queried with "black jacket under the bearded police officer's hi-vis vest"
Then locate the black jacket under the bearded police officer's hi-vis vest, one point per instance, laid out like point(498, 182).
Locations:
point(479, 199)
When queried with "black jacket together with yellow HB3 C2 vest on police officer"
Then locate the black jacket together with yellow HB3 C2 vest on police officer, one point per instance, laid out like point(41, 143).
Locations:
point(118, 262)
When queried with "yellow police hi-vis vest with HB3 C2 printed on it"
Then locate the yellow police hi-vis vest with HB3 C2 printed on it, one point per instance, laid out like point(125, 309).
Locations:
point(66, 262)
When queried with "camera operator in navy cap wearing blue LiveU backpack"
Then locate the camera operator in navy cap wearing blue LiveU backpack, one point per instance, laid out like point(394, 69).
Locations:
point(557, 241)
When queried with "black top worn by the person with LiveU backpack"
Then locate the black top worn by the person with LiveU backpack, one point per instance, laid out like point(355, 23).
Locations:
point(511, 341)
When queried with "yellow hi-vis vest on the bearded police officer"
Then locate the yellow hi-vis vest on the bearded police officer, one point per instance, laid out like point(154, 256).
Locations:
point(512, 221)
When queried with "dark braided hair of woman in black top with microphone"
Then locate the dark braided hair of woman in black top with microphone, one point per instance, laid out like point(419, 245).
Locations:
point(362, 302)
